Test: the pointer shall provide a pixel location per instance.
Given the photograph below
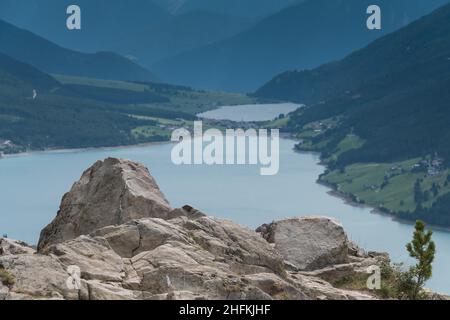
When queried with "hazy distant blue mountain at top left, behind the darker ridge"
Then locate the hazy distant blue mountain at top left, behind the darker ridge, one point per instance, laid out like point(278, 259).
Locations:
point(139, 29)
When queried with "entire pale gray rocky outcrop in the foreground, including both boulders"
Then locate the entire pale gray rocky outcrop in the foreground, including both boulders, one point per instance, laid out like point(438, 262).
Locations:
point(115, 237)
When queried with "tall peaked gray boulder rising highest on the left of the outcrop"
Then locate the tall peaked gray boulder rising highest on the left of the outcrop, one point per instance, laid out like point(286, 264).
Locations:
point(111, 192)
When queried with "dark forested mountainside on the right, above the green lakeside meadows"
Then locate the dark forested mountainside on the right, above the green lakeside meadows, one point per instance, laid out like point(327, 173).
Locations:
point(392, 93)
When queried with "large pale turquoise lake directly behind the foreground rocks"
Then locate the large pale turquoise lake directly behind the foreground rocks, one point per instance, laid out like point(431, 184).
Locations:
point(31, 187)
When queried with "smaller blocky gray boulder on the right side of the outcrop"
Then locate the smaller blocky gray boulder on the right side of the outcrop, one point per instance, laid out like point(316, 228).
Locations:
point(308, 243)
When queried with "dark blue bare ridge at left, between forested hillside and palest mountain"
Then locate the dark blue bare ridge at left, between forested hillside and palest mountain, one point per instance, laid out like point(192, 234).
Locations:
point(51, 58)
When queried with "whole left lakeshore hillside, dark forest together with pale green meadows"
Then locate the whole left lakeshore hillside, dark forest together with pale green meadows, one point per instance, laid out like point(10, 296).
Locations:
point(38, 111)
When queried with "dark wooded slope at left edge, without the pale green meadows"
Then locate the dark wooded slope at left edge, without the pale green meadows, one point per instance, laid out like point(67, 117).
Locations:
point(33, 117)
